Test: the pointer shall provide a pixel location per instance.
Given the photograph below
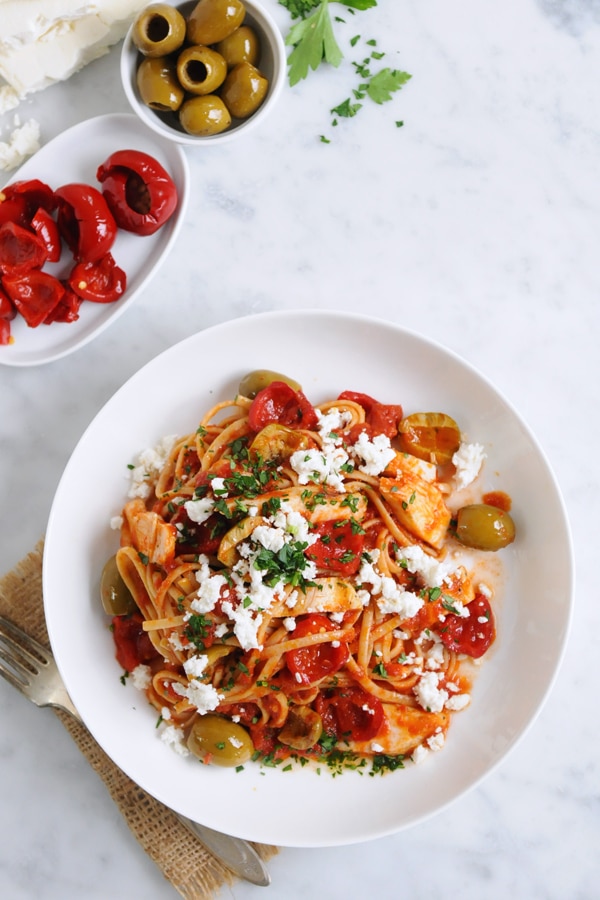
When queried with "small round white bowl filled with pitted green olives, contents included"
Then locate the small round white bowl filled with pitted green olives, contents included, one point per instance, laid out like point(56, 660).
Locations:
point(203, 71)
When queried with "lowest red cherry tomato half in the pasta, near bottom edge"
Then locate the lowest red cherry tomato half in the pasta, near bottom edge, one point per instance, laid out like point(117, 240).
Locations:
point(350, 714)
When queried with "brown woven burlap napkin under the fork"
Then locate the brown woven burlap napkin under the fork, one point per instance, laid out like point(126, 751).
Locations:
point(183, 860)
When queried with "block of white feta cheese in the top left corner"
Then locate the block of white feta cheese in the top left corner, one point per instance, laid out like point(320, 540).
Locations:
point(45, 41)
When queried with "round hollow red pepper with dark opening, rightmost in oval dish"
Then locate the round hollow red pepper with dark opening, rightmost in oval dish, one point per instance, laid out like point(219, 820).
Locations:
point(141, 194)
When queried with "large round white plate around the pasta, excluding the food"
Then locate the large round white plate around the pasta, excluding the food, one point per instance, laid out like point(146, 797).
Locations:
point(327, 353)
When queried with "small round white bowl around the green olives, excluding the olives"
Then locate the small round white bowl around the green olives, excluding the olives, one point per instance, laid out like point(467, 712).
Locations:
point(272, 64)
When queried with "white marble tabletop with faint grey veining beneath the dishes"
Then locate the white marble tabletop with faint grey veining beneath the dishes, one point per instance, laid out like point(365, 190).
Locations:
point(478, 224)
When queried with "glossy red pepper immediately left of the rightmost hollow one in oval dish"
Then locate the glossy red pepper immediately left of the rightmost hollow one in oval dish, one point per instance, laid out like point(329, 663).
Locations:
point(85, 221)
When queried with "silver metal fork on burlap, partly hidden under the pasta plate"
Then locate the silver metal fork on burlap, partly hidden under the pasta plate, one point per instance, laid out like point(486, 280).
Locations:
point(31, 668)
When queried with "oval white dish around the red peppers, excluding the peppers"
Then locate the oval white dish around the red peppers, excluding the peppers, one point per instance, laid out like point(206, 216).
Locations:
point(74, 156)
